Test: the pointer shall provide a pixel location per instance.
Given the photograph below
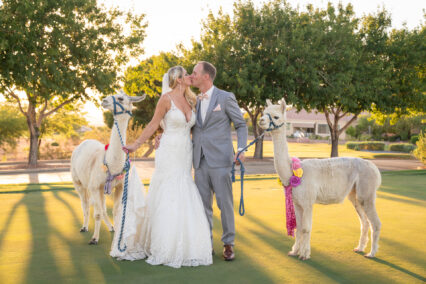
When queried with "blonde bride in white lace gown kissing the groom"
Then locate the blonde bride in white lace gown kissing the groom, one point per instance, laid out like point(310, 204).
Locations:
point(175, 230)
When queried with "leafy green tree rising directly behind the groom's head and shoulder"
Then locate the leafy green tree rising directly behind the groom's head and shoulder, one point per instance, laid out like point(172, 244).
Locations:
point(246, 53)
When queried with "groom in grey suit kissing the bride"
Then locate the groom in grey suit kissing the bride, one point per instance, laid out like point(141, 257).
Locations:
point(213, 151)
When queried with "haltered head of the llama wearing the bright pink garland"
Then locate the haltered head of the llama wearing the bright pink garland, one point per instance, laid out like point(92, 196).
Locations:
point(273, 115)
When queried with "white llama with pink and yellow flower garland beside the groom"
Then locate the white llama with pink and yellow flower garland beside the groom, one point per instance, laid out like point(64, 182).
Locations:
point(324, 181)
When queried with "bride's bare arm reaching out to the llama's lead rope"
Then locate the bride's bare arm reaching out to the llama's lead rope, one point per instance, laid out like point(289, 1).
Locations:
point(160, 111)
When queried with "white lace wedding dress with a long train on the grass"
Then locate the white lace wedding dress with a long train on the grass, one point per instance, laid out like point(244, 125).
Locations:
point(174, 231)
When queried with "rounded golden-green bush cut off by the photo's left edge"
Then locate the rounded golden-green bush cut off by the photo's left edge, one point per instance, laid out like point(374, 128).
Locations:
point(12, 125)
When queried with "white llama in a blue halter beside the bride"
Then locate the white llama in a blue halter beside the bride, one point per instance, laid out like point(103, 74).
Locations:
point(88, 171)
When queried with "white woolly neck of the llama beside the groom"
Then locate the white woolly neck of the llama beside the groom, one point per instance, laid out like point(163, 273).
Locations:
point(282, 161)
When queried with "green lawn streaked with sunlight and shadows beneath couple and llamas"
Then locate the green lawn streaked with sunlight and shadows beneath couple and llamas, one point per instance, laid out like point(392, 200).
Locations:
point(40, 240)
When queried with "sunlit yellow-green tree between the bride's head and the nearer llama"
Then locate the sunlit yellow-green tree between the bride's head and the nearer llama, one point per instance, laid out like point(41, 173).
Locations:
point(146, 78)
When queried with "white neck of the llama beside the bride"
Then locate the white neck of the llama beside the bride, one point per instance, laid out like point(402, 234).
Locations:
point(115, 156)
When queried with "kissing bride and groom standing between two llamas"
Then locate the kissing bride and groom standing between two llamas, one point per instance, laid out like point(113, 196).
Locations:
point(176, 229)
